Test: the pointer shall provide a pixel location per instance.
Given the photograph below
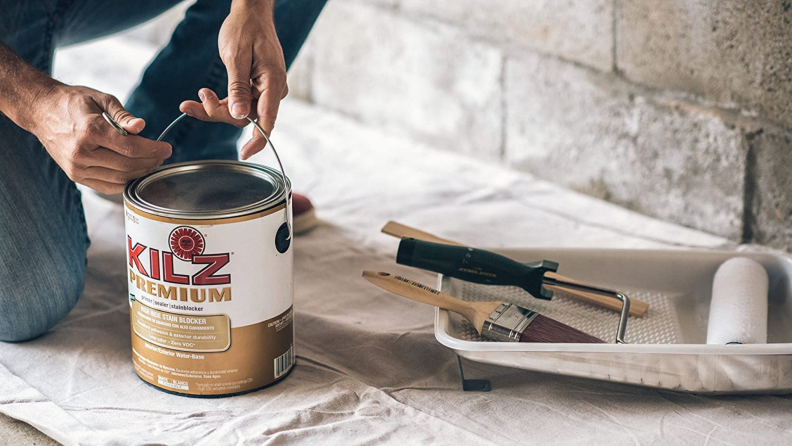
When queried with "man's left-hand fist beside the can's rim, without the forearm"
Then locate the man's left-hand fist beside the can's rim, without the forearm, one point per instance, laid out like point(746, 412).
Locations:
point(68, 121)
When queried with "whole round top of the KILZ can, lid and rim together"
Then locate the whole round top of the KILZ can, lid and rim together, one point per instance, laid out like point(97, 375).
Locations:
point(207, 189)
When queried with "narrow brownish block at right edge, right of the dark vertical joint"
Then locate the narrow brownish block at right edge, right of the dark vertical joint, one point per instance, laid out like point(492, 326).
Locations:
point(771, 197)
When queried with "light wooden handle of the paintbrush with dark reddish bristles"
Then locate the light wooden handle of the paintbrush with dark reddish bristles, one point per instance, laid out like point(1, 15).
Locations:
point(475, 312)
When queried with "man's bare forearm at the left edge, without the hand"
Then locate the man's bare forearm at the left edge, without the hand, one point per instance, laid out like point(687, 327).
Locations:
point(21, 85)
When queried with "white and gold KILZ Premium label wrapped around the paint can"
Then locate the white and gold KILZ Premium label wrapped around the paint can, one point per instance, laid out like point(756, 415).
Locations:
point(210, 304)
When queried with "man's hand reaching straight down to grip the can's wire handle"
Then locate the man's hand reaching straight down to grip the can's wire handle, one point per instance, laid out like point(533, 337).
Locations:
point(251, 52)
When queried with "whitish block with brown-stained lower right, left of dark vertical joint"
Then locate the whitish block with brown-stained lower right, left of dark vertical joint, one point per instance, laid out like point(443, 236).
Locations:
point(591, 132)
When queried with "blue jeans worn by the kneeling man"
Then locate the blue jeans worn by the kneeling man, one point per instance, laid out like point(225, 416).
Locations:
point(43, 238)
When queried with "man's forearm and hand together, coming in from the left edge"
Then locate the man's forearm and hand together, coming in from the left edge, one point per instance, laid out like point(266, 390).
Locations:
point(68, 121)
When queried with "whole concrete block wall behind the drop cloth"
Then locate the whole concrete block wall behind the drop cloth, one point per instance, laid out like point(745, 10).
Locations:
point(680, 109)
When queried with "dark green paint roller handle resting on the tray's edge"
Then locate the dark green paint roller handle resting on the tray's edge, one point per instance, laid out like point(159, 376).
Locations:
point(476, 265)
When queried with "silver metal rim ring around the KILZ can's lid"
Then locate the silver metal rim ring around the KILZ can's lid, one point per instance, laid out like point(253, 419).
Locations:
point(278, 196)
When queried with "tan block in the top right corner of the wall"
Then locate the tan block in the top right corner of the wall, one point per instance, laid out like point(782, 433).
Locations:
point(737, 54)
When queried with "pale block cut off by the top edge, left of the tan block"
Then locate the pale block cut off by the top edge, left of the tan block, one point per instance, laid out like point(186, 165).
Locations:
point(578, 30)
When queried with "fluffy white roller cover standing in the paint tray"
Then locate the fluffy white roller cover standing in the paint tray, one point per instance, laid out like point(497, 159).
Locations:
point(738, 311)
